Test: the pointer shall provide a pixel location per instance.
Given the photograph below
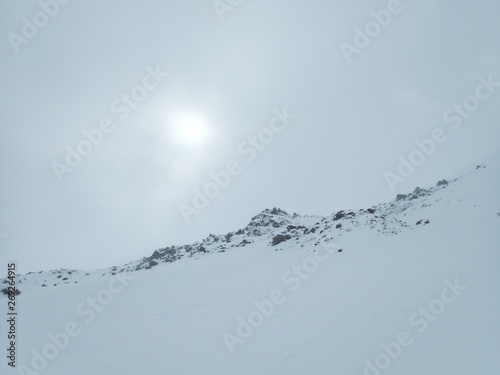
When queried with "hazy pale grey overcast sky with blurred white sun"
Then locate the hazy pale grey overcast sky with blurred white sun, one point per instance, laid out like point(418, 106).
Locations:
point(225, 78)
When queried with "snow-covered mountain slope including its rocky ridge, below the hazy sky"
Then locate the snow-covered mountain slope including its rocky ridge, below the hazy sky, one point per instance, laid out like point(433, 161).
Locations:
point(414, 289)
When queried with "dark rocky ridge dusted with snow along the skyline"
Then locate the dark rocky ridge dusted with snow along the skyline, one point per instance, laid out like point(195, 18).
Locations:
point(275, 227)
